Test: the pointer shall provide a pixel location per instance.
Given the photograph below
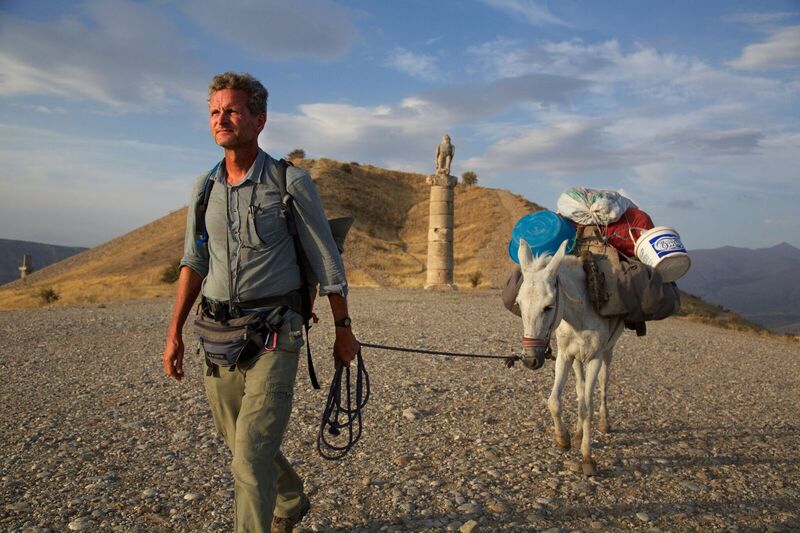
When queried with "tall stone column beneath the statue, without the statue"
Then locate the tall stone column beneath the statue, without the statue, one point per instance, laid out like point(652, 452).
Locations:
point(440, 233)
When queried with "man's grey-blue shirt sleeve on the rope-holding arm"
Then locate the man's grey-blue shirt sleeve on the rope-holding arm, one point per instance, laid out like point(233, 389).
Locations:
point(315, 234)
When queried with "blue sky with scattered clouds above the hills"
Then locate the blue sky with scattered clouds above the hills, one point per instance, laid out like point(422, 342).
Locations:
point(689, 108)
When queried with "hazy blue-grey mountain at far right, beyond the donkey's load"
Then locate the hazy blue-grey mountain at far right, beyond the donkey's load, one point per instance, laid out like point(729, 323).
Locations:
point(760, 284)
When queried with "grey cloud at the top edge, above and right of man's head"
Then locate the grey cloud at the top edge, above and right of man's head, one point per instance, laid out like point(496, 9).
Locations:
point(317, 29)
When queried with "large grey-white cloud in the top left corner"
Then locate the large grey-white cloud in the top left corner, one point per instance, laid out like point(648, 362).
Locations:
point(120, 53)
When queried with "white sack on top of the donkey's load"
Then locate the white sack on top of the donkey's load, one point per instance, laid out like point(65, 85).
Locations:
point(592, 206)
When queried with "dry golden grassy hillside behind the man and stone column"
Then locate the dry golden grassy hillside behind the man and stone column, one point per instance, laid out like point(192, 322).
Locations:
point(386, 247)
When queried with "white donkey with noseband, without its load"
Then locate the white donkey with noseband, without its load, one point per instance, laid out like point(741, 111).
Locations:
point(553, 297)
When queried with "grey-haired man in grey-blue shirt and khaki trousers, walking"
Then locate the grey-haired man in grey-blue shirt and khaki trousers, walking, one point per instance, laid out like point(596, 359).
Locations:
point(248, 265)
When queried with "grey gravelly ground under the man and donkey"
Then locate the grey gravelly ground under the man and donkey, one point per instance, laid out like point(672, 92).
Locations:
point(706, 429)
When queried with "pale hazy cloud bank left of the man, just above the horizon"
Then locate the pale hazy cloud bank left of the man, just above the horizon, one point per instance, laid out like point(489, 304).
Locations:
point(83, 191)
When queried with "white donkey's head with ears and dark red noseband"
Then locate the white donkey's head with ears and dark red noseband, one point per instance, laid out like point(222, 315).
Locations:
point(538, 301)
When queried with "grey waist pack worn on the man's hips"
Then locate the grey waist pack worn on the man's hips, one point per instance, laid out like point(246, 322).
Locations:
point(237, 340)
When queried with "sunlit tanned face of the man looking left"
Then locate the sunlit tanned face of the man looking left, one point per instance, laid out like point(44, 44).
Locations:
point(230, 120)
